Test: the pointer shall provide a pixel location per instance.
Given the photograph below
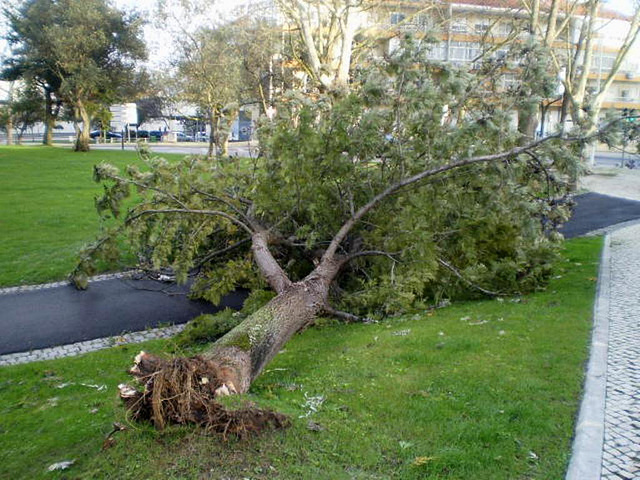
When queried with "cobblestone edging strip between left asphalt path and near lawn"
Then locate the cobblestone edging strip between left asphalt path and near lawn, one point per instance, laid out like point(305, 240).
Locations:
point(88, 346)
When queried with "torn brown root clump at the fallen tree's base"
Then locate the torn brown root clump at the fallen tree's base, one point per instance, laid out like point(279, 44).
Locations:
point(183, 391)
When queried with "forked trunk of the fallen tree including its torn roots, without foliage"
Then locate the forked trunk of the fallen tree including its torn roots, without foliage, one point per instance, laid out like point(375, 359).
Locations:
point(184, 390)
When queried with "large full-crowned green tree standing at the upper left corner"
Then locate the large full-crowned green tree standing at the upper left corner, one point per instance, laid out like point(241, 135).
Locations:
point(85, 51)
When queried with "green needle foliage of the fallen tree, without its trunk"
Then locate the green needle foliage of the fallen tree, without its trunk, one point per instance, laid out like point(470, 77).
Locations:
point(483, 227)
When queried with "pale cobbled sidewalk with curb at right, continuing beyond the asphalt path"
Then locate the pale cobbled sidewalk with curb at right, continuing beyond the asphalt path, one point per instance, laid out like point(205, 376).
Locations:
point(607, 441)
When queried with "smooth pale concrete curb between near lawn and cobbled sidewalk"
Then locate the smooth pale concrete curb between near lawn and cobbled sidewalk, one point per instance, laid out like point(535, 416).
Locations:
point(586, 456)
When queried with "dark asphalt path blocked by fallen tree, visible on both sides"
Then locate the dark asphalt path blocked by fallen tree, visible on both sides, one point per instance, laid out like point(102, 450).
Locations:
point(61, 315)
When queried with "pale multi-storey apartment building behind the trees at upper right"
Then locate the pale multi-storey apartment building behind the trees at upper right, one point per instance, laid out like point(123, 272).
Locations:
point(463, 27)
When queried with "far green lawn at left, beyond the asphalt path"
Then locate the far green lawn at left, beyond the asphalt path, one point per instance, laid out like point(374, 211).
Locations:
point(46, 210)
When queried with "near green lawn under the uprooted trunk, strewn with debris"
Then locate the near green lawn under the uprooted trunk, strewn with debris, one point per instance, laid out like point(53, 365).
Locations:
point(478, 390)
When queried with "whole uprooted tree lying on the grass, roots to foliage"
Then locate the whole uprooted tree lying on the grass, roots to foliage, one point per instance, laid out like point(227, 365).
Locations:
point(372, 201)
